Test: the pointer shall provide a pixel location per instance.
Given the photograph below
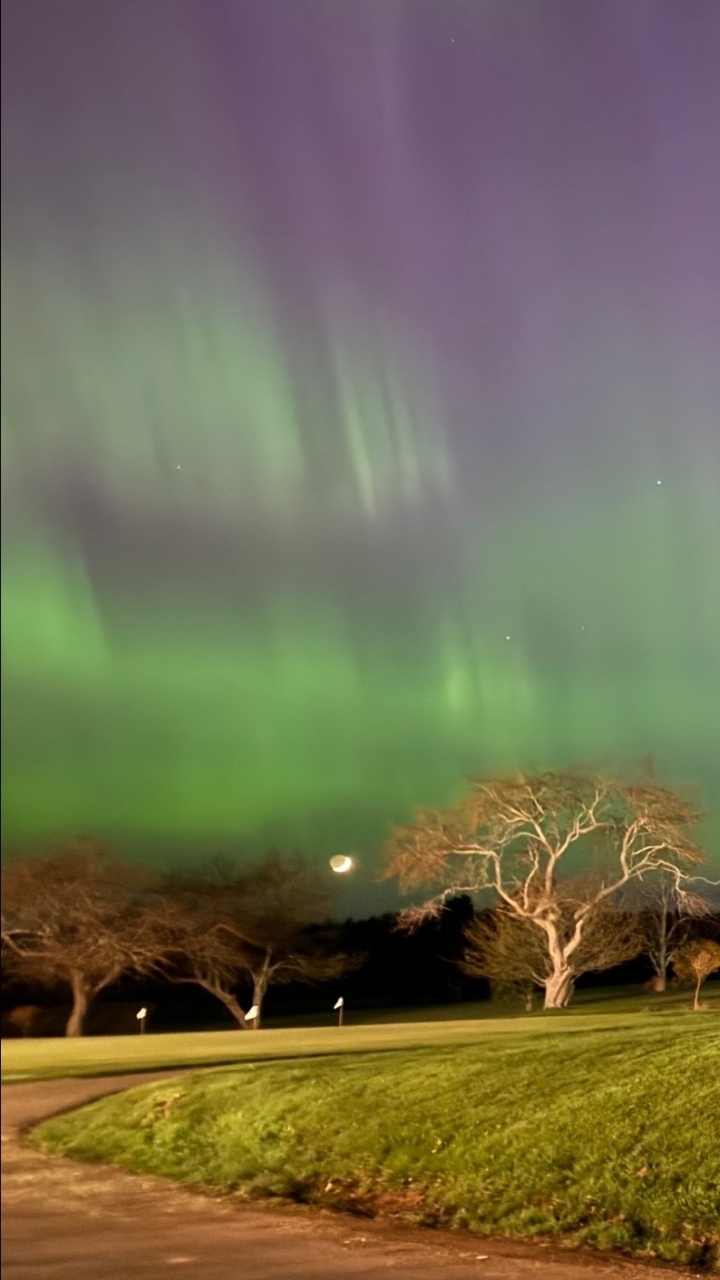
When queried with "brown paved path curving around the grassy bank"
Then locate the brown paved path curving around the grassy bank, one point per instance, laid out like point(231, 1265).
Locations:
point(69, 1222)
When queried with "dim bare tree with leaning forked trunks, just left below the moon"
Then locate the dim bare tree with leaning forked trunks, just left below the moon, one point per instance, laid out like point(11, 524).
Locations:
point(248, 929)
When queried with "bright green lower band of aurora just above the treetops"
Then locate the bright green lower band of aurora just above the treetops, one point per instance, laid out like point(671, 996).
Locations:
point(184, 737)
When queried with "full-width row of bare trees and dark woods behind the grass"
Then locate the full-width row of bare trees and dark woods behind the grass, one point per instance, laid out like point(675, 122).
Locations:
point(86, 938)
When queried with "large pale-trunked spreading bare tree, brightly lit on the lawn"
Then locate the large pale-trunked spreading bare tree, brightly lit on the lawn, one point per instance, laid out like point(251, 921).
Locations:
point(513, 835)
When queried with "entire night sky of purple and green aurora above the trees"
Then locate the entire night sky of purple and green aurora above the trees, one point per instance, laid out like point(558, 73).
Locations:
point(361, 409)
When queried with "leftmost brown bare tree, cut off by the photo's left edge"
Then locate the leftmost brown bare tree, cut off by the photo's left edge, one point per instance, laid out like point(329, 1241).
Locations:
point(75, 920)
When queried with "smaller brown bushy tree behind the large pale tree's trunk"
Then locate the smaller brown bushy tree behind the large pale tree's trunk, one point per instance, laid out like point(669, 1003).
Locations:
point(512, 950)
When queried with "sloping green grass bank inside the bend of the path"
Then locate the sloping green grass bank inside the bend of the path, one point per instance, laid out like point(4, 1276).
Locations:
point(593, 1131)
